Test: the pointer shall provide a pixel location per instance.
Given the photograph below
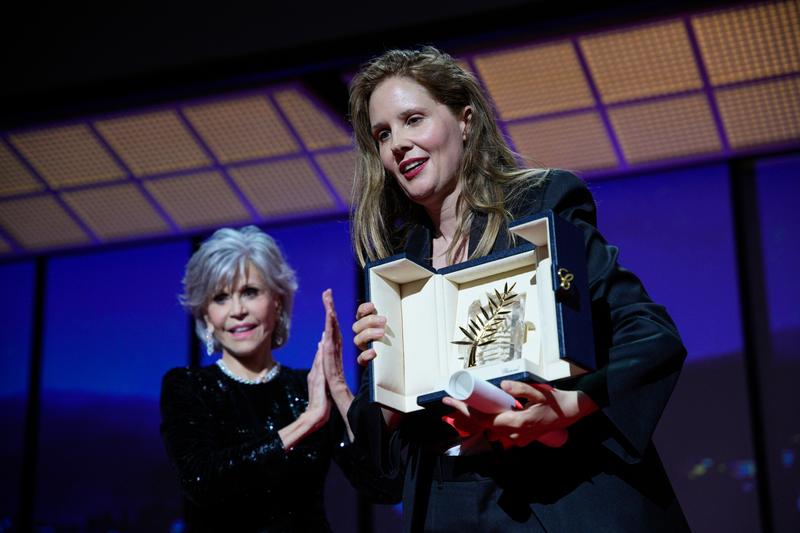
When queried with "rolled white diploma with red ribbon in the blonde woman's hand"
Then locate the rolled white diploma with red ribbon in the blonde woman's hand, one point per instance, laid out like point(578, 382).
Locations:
point(487, 398)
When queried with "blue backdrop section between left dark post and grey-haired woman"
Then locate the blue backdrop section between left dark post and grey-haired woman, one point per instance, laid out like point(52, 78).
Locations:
point(113, 325)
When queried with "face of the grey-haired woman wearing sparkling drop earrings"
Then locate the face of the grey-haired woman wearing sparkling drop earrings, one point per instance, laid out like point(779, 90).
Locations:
point(243, 316)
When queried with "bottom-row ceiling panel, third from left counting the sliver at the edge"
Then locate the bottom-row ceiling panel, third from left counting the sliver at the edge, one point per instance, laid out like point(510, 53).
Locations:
point(116, 211)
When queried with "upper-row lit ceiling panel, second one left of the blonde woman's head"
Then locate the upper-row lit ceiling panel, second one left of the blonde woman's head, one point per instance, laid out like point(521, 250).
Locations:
point(241, 129)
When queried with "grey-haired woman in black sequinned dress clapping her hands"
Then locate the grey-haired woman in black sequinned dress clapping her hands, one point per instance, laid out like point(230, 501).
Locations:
point(250, 438)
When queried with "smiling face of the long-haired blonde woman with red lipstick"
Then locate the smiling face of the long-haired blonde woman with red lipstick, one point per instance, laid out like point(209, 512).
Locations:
point(421, 141)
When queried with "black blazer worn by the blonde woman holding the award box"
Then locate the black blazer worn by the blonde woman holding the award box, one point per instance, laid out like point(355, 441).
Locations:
point(608, 477)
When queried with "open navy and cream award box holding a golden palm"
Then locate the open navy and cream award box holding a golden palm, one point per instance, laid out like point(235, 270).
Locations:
point(522, 314)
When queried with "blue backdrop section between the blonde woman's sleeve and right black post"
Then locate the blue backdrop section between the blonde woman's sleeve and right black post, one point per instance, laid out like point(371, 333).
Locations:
point(675, 230)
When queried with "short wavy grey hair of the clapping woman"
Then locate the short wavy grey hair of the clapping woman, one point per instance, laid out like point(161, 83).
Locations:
point(222, 259)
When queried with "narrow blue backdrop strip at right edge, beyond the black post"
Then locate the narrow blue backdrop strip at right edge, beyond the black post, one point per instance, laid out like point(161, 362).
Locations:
point(778, 189)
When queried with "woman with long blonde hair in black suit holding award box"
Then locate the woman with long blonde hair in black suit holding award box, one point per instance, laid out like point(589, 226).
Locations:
point(435, 179)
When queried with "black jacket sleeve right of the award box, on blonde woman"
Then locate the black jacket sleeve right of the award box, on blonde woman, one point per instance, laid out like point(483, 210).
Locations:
point(638, 346)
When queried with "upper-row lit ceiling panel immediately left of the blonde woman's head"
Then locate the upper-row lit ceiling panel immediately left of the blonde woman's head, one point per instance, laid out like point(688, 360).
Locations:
point(312, 124)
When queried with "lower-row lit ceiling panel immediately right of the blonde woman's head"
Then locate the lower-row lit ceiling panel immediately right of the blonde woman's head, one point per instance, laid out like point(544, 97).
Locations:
point(552, 142)
